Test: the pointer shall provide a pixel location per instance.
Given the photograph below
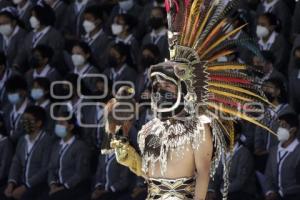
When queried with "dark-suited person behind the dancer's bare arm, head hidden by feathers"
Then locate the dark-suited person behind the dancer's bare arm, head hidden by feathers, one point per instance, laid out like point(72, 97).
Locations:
point(241, 174)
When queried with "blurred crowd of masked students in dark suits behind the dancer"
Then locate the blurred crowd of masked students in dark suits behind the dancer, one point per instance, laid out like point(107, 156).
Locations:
point(62, 60)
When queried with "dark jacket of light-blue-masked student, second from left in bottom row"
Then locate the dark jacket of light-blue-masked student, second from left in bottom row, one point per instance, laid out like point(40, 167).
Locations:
point(74, 164)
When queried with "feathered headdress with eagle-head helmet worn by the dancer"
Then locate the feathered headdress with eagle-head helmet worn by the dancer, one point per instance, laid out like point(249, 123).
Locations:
point(200, 33)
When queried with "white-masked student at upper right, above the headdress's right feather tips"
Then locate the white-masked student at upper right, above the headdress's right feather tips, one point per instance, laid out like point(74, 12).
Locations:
point(270, 39)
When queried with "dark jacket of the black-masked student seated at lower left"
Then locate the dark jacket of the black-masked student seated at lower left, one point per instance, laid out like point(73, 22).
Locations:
point(31, 171)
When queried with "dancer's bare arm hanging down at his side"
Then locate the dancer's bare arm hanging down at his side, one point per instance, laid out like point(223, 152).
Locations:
point(203, 156)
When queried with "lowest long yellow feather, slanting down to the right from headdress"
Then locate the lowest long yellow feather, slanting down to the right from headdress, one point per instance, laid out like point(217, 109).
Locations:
point(240, 115)
